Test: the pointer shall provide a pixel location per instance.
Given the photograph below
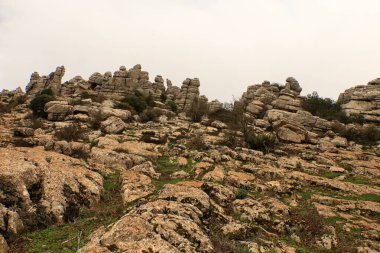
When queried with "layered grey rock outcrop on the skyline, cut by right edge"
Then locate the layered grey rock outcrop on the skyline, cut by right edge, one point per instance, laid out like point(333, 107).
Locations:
point(362, 100)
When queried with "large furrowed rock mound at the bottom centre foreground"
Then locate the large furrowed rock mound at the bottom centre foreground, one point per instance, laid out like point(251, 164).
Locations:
point(173, 223)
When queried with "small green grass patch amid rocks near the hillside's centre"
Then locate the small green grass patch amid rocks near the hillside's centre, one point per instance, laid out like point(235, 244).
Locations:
point(166, 168)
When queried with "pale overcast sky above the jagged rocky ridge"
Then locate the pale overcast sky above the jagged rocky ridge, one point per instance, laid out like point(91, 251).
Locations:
point(327, 45)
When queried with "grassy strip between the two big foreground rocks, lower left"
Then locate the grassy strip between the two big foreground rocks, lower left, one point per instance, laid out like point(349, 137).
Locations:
point(64, 238)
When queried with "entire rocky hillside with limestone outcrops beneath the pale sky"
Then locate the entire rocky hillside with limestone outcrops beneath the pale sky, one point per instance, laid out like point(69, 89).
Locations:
point(118, 163)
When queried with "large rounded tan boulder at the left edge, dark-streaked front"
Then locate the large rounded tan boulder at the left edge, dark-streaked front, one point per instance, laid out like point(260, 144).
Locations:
point(45, 184)
